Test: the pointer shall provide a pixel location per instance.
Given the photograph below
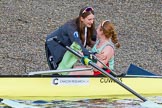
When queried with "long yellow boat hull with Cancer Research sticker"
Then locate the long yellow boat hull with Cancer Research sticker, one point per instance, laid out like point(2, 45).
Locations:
point(72, 87)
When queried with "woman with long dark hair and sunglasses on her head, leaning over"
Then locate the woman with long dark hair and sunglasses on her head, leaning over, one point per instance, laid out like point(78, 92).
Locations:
point(80, 30)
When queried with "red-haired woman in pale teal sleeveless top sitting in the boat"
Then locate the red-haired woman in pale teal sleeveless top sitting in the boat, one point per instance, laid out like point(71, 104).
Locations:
point(106, 43)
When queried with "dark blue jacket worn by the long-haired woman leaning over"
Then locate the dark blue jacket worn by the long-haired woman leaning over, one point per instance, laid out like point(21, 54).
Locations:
point(64, 34)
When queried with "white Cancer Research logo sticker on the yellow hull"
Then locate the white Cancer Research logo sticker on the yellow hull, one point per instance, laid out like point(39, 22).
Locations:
point(70, 81)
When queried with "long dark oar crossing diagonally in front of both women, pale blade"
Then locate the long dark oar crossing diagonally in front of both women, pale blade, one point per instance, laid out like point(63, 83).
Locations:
point(147, 104)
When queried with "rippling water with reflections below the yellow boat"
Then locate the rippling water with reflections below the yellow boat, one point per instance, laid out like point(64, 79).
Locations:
point(88, 103)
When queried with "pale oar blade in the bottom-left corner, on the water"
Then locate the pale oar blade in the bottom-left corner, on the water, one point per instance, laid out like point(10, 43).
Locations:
point(15, 104)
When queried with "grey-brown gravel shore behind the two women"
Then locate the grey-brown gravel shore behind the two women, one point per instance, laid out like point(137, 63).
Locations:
point(24, 25)
